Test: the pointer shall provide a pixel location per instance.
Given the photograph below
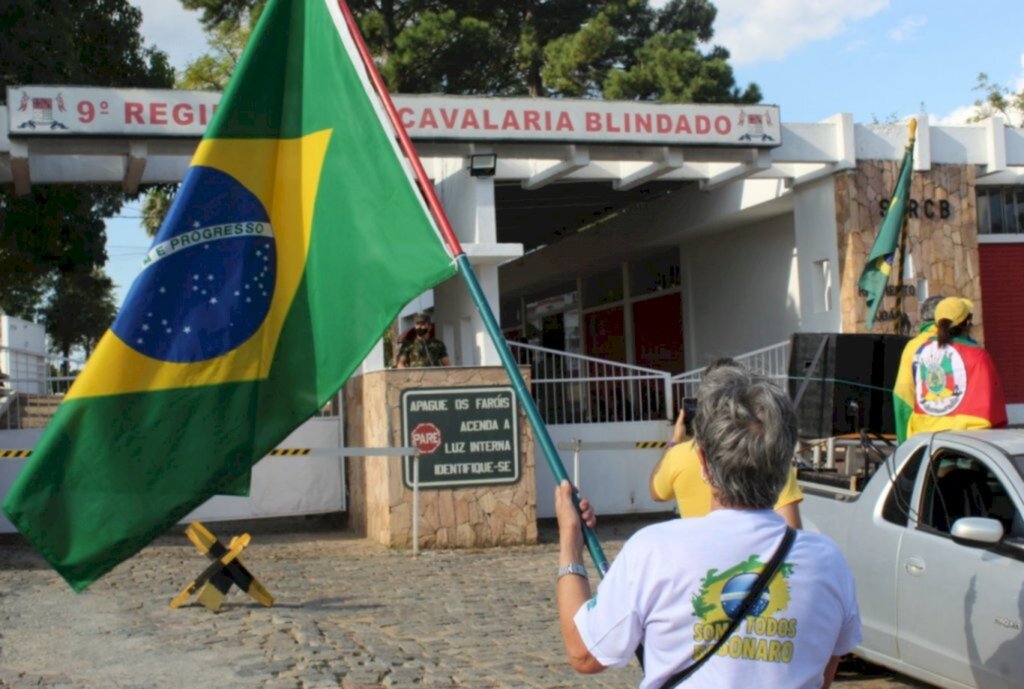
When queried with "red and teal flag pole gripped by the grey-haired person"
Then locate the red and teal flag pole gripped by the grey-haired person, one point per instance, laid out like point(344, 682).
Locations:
point(466, 271)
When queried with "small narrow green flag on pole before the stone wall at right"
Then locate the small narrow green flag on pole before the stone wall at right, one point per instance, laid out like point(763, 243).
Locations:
point(880, 262)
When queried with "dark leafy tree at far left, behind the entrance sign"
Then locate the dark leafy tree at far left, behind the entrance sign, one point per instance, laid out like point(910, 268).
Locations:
point(60, 229)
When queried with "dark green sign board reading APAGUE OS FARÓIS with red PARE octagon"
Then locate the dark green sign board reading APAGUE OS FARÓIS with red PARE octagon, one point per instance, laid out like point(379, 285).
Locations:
point(466, 437)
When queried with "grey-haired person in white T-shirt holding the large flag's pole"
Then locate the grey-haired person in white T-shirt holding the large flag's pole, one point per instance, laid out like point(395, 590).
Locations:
point(734, 599)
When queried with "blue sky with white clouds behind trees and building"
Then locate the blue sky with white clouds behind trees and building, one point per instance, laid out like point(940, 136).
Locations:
point(878, 60)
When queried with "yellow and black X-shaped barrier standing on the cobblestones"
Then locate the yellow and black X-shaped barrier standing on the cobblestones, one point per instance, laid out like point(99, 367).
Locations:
point(226, 571)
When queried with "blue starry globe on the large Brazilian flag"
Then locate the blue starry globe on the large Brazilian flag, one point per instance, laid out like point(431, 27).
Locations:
point(209, 278)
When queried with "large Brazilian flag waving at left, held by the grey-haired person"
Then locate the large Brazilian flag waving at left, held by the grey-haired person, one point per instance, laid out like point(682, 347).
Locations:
point(296, 238)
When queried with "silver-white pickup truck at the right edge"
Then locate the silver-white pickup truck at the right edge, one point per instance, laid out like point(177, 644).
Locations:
point(936, 543)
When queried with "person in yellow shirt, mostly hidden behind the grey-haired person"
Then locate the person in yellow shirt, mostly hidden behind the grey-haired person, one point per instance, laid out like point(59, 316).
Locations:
point(677, 476)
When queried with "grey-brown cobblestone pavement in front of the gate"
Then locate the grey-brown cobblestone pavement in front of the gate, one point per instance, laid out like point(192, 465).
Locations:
point(349, 614)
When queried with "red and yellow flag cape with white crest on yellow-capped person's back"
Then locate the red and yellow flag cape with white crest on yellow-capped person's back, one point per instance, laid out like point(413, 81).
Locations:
point(957, 387)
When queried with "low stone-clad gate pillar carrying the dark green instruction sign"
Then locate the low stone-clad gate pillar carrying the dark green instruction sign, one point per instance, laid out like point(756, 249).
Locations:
point(380, 506)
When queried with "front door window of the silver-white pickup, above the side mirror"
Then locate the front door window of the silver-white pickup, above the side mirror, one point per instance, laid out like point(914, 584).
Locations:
point(960, 486)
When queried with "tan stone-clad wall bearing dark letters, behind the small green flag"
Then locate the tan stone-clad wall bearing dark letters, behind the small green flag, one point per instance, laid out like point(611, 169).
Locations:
point(945, 250)
